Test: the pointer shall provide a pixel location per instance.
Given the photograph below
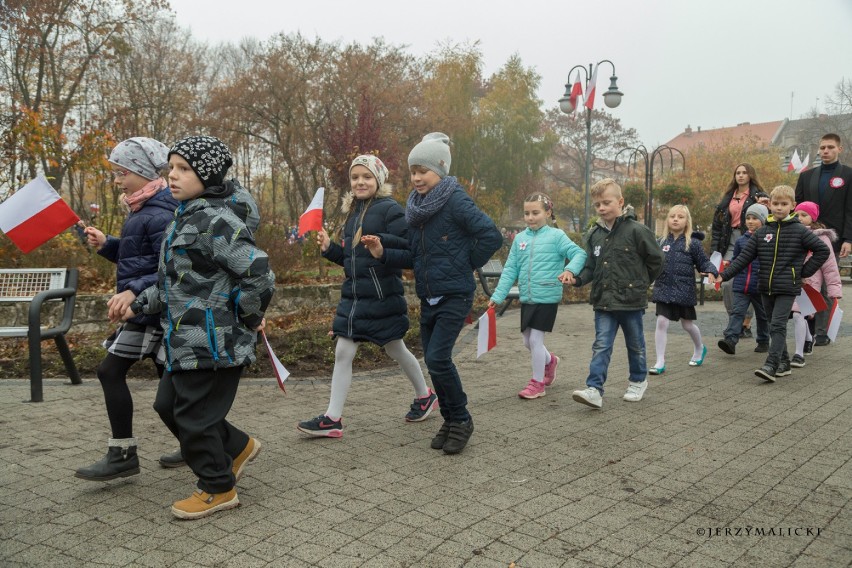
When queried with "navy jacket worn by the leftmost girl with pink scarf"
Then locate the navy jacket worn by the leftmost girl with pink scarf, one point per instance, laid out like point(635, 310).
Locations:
point(137, 252)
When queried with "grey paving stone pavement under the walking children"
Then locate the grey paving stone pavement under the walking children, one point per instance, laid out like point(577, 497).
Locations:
point(713, 468)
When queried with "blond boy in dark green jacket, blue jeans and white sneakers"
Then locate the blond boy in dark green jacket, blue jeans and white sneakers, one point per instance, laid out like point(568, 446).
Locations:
point(623, 258)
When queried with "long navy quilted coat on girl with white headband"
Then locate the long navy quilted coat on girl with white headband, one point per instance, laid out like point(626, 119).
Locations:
point(372, 301)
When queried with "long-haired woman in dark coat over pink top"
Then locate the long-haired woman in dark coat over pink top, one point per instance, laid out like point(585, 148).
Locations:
point(729, 221)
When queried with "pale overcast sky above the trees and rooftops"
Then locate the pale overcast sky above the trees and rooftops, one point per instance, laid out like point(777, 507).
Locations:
point(707, 63)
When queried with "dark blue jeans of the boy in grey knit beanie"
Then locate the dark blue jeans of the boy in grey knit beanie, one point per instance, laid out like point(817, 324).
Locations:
point(440, 326)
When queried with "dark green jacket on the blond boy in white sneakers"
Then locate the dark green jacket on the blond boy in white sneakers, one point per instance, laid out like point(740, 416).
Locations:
point(621, 264)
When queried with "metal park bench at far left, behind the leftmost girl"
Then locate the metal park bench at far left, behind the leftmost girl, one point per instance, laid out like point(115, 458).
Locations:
point(37, 286)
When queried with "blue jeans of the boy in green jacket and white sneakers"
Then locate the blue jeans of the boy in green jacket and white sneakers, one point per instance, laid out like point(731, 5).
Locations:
point(606, 326)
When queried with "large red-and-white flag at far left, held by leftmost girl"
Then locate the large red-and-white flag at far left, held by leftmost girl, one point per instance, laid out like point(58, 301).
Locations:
point(35, 214)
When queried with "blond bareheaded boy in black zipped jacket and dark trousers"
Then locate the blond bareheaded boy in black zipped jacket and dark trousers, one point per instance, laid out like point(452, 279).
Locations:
point(782, 245)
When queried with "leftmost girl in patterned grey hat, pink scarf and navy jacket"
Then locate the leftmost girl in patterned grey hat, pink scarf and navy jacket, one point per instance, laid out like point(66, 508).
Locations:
point(139, 162)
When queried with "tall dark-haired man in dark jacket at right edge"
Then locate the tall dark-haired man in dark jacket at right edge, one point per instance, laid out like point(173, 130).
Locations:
point(828, 186)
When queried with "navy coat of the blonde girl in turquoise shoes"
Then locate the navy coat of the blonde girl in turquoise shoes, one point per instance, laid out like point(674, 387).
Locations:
point(676, 284)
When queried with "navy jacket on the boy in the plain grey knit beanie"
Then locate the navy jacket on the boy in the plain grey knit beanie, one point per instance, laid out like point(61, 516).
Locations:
point(448, 247)
